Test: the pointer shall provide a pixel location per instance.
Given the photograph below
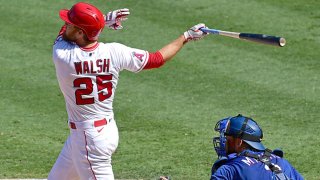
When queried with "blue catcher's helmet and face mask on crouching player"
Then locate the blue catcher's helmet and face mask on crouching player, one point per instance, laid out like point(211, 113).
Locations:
point(241, 127)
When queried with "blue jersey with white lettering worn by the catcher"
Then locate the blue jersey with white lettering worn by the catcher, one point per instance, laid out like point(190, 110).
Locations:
point(239, 167)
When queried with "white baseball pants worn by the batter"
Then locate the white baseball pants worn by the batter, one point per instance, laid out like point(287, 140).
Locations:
point(86, 154)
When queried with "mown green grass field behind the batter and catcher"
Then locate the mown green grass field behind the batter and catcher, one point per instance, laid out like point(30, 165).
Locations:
point(166, 116)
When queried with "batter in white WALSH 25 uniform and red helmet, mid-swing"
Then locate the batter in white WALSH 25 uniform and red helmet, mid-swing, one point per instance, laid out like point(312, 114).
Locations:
point(88, 73)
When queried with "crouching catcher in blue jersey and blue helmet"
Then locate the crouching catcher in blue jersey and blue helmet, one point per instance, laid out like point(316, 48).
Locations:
point(242, 155)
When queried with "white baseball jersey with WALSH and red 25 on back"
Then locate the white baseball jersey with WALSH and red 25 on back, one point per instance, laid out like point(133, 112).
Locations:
point(88, 77)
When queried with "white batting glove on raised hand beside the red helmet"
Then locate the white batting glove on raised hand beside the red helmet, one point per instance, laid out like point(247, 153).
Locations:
point(114, 18)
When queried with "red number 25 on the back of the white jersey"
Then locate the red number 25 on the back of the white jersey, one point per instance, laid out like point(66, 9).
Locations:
point(102, 82)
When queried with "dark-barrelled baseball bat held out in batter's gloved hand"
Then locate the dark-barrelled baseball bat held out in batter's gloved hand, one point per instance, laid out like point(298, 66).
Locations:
point(259, 38)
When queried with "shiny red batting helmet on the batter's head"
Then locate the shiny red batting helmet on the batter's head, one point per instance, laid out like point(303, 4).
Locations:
point(86, 17)
